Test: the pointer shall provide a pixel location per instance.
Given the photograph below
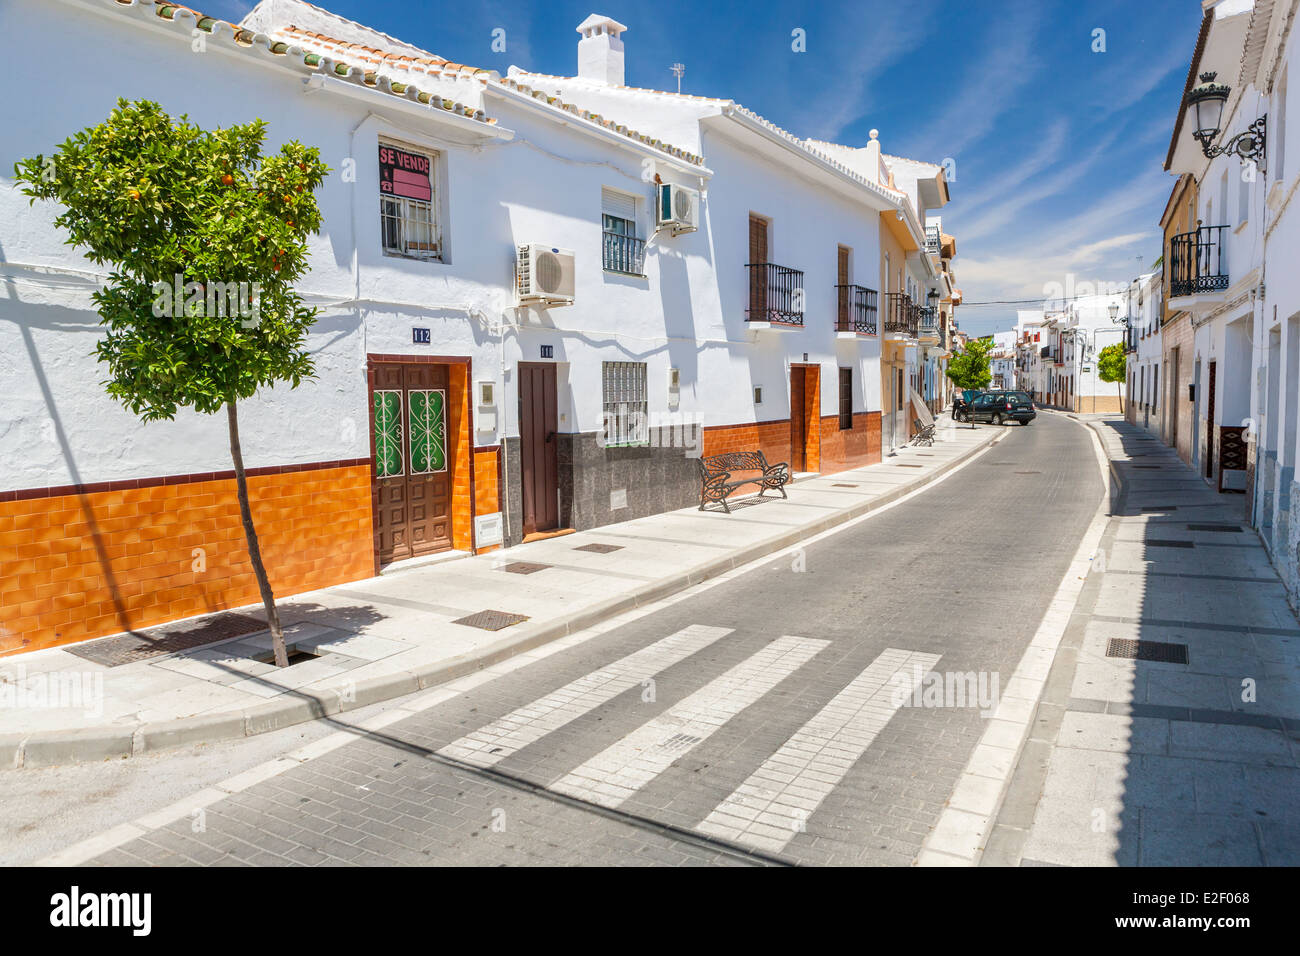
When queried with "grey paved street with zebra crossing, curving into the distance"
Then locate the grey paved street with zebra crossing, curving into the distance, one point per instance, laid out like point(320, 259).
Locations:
point(757, 724)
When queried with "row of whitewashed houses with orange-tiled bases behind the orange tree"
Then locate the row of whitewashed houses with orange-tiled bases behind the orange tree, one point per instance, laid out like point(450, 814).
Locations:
point(567, 297)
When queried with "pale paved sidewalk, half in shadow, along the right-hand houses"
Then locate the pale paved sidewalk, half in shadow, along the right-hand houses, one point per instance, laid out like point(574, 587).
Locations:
point(1152, 762)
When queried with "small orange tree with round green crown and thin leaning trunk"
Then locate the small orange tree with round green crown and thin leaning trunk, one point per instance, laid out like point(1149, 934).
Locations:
point(205, 237)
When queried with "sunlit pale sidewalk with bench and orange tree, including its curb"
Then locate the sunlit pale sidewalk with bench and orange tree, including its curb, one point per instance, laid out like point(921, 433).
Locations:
point(389, 637)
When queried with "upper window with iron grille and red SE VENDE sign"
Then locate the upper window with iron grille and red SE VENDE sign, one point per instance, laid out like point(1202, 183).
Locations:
point(409, 222)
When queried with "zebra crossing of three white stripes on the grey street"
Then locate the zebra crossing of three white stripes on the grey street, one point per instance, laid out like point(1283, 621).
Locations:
point(777, 801)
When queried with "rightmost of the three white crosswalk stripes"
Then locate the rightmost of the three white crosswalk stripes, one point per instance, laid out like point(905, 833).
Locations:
point(777, 801)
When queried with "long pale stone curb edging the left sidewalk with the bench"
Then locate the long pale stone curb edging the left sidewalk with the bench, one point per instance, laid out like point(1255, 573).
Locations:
point(92, 745)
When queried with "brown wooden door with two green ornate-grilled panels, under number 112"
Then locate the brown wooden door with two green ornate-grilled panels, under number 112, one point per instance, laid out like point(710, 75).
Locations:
point(411, 473)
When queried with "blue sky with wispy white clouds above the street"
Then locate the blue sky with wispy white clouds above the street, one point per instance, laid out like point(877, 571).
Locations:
point(1058, 149)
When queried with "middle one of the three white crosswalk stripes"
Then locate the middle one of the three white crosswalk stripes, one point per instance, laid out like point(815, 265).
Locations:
point(625, 768)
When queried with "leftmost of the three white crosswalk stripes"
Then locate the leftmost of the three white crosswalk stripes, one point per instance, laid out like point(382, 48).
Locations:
point(527, 725)
